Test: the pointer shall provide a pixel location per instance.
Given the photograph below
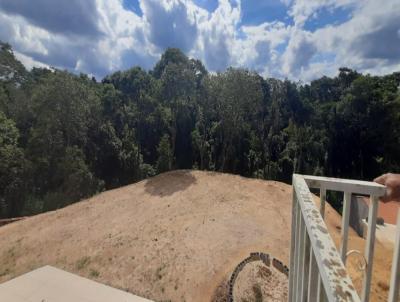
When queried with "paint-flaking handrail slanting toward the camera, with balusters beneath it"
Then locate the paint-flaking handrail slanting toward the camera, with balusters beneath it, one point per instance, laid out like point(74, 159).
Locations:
point(336, 282)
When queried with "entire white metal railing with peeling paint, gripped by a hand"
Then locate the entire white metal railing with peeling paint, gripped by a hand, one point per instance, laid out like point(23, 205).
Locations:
point(317, 268)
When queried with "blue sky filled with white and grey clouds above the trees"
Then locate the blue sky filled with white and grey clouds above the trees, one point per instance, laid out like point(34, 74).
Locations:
point(295, 39)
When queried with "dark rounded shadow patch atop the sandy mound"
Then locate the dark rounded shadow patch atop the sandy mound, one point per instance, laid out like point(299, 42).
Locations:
point(169, 183)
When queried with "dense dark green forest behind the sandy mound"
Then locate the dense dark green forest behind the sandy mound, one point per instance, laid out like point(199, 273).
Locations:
point(64, 137)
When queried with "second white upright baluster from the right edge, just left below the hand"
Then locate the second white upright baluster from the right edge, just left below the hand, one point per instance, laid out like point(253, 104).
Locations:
point(369, 247)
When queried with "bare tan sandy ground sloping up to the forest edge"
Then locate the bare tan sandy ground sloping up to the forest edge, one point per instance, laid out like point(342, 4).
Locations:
point(175, 237)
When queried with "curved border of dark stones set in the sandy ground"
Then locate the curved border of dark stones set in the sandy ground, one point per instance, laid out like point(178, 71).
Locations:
point(257, 256)
